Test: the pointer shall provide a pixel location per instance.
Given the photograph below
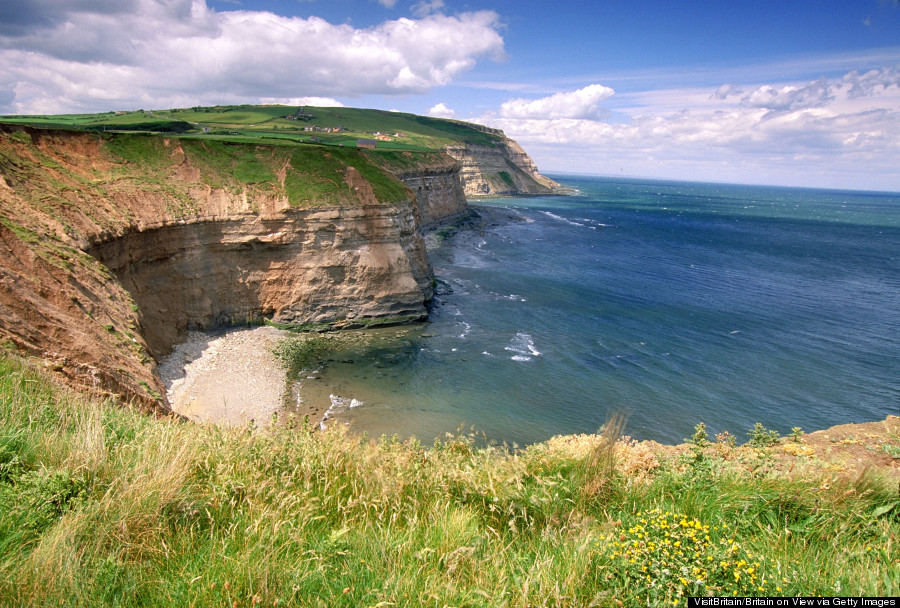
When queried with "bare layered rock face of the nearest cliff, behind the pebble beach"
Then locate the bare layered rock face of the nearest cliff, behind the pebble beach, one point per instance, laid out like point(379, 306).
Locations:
point(297, 266)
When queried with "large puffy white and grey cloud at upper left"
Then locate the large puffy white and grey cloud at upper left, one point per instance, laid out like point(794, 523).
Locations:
point(74, 55)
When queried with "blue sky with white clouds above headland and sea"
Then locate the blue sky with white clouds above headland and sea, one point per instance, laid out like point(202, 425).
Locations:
point(782, 92)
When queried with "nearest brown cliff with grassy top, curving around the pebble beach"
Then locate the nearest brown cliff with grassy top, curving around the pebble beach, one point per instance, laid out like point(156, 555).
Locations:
point(110, 247)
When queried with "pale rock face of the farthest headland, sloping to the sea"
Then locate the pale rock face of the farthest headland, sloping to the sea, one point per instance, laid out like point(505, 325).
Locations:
point(499, 169)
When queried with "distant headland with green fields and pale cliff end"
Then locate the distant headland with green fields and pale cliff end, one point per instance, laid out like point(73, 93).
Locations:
point(492, 163)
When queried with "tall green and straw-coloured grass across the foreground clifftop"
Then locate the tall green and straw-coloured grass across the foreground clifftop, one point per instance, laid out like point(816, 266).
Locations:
point(102, 506)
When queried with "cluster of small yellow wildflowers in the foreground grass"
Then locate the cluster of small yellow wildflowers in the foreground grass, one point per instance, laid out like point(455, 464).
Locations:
point(666, 556)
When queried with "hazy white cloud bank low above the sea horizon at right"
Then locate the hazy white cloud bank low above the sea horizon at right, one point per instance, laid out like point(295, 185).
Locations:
point(842, 132)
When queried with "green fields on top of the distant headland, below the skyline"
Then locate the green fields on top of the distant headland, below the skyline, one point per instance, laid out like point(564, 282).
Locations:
point(271, 125)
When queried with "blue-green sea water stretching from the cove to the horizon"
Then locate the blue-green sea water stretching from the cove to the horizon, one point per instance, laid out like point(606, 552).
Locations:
point(674, 303)
